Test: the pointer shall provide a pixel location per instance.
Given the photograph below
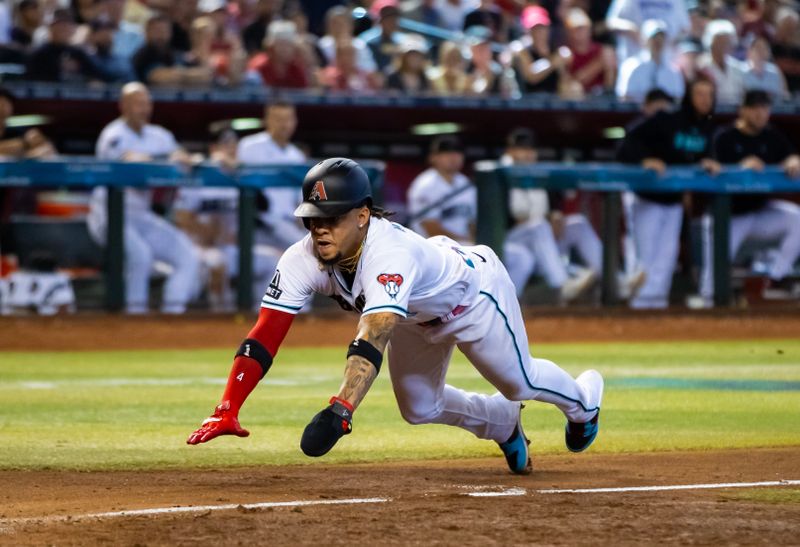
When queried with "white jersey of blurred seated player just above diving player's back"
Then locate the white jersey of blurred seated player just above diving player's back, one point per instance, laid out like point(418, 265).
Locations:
point(427, 200)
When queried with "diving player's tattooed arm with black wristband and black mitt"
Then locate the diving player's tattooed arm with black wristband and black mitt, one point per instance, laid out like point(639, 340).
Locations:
point(364, 358)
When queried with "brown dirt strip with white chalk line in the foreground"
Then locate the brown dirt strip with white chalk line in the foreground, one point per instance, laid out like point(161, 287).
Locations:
point(425, 503)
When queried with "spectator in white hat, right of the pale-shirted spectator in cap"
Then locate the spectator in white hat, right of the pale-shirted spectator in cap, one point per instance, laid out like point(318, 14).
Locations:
point(725, 71)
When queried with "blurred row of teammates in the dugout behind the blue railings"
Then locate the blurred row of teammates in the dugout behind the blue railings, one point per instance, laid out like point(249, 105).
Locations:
point(189, 236)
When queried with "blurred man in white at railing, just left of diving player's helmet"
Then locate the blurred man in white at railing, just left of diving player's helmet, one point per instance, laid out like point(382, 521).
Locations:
point(273, 147)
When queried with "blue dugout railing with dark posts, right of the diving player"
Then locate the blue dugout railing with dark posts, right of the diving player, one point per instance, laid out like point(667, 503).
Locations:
point(611, 180)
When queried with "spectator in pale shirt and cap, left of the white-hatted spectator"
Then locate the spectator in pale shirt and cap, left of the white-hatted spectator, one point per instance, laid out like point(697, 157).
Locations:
point(650, 69)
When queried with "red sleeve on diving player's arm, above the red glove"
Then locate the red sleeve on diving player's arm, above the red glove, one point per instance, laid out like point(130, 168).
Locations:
point(269, 330)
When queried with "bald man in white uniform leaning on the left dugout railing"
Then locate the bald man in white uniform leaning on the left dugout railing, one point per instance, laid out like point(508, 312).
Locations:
point(148, 237)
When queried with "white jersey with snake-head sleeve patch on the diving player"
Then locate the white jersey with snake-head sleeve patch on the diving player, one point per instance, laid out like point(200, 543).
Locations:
point(399, 272)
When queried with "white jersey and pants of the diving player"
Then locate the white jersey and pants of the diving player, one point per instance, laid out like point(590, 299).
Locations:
point(468, 290)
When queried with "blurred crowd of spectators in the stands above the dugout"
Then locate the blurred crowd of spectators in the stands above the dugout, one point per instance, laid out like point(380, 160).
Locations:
point(575, 48)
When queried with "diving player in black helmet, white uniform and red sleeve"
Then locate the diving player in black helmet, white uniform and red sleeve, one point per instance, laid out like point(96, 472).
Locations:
point(418, 299)
